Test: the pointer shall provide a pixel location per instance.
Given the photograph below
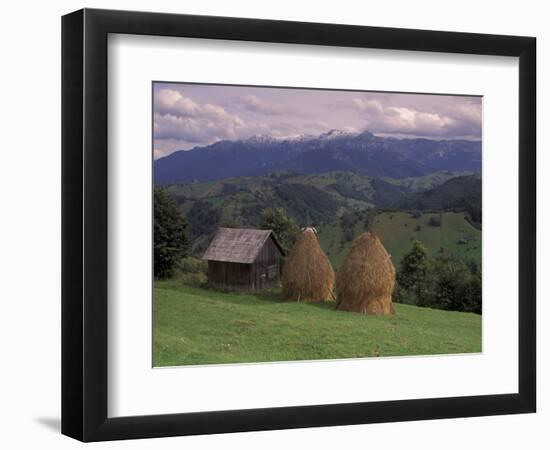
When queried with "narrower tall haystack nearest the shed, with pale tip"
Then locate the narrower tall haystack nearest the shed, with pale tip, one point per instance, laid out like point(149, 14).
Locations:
point(307, 273)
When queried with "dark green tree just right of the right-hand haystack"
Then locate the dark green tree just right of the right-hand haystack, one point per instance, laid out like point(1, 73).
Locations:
point(413, 277)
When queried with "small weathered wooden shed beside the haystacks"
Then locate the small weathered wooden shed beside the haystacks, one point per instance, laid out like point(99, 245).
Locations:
point(244, 259)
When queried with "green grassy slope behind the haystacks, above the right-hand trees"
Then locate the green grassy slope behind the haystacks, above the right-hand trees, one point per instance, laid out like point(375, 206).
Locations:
point(397, 230)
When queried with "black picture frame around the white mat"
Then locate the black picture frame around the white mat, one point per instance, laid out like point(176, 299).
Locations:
point(84, 224)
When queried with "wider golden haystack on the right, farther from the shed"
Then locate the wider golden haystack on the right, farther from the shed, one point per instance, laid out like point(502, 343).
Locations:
point(365, 282)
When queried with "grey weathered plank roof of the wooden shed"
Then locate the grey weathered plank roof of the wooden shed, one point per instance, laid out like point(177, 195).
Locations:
point(239, 245)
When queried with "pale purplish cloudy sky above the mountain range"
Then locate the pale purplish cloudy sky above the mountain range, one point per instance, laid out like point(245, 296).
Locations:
point(193, 115)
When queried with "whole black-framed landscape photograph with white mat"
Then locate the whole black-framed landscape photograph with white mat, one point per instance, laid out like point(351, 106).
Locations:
point(273, 224)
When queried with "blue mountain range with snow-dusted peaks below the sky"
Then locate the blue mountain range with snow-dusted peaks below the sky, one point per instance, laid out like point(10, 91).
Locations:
point(362, 153)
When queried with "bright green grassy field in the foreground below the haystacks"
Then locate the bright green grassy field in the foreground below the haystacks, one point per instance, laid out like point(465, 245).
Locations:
point(193, 325)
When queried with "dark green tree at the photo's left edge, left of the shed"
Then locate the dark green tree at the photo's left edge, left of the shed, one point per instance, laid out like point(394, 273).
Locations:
point(170, 234)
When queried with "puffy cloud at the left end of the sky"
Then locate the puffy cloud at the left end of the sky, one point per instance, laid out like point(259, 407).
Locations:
point(180, 118)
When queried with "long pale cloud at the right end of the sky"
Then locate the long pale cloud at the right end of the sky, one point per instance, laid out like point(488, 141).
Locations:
point(445, 118)
